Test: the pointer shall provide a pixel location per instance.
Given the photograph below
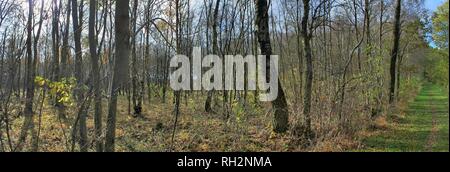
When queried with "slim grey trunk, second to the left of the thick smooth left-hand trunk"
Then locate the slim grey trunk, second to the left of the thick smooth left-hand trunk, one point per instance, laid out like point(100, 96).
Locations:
point(77, 28)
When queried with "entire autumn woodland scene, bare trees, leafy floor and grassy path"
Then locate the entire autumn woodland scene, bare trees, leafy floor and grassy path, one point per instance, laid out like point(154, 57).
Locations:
point(97, 76)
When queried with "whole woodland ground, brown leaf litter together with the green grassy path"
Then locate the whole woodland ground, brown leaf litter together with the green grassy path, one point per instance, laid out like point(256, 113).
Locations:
point(422, 127)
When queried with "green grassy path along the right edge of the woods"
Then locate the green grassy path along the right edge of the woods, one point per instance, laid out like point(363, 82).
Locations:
point(424, 129)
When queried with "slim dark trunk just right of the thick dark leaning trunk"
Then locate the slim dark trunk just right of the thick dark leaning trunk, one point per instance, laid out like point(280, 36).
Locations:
point(309, 68)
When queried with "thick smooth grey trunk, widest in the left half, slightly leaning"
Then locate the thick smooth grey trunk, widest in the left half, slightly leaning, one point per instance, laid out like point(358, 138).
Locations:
point(122, 39)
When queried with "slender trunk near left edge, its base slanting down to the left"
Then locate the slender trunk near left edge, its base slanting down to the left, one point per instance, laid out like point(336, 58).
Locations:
point(28, 111)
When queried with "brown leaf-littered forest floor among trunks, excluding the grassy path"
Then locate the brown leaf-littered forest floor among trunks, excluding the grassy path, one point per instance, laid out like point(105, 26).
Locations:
point(196, 130)
